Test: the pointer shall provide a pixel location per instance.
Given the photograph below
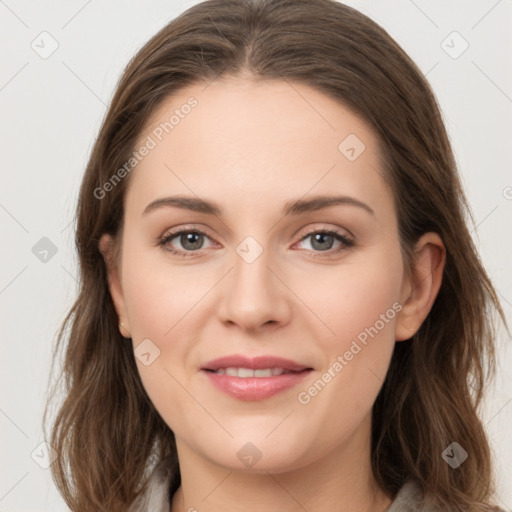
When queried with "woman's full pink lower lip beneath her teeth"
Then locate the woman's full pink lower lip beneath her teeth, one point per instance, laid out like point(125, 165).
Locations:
point(255, 388)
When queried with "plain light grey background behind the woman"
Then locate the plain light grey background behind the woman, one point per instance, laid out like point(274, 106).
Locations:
point(51, 109)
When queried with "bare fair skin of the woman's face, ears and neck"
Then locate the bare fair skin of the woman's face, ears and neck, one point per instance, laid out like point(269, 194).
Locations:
point(251, 146)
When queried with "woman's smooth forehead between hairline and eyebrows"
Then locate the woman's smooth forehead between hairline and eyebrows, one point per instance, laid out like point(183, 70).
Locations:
point(252, 142)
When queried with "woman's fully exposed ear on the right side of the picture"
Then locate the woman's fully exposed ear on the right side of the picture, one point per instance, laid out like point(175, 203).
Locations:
point(421, 286)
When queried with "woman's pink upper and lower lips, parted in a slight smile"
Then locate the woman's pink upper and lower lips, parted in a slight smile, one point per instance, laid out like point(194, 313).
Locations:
point(255, 388)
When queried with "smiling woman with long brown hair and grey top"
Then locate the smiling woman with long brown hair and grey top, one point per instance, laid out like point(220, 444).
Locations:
point(324, 341)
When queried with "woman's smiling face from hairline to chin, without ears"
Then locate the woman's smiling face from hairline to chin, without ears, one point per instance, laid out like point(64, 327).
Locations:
point(256, 278)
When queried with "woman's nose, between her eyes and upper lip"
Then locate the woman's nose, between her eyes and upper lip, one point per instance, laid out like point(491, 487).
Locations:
point(254, 296)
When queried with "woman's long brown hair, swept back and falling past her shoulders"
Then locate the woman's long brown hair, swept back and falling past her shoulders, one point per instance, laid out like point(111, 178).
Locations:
point(107, 432)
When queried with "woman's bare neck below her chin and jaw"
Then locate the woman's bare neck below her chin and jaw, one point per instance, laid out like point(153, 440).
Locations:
point(340, 481)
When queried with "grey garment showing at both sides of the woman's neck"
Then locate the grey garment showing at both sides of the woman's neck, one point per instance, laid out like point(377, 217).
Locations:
point(156, 497)
